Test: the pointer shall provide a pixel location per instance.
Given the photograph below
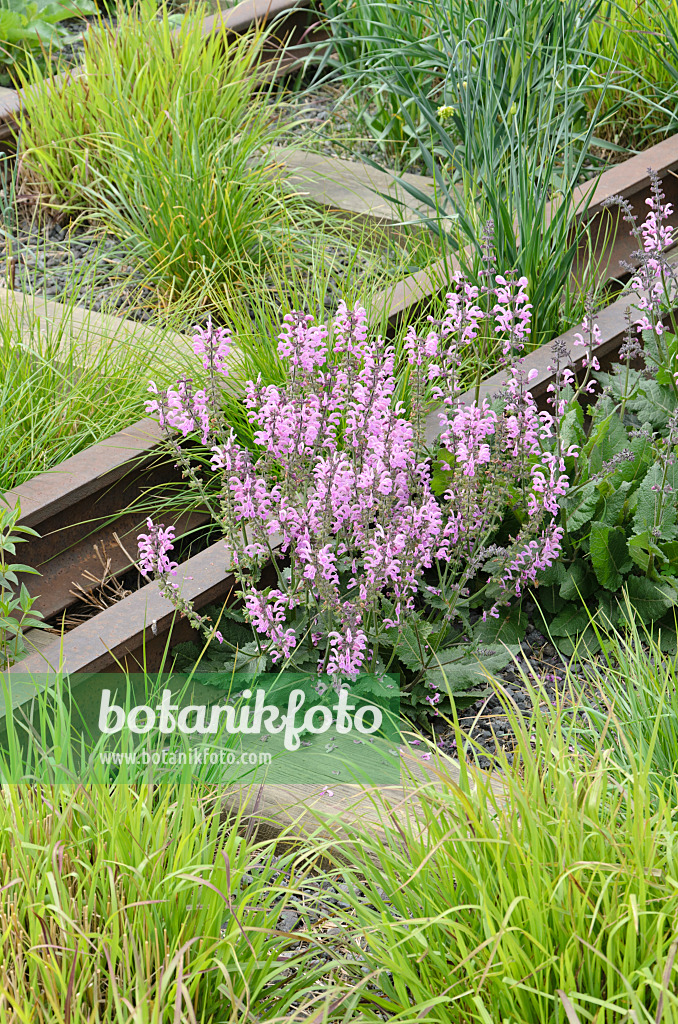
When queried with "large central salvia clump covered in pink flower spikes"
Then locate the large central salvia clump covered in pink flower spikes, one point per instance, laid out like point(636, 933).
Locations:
point(377, 563)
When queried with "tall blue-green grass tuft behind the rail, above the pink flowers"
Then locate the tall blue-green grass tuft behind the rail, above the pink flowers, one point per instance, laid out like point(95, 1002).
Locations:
point(493, 98)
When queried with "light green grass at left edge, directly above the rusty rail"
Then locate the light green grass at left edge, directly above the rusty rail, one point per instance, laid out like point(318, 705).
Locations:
point(68, 383)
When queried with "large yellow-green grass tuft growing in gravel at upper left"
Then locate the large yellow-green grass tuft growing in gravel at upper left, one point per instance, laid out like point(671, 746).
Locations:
point(164, 136)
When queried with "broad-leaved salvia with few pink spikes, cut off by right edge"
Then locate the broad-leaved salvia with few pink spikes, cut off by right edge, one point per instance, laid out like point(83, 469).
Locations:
point(620, 517)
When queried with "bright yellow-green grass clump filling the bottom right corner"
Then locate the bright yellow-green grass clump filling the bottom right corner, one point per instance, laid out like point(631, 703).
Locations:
point(549, 894)
